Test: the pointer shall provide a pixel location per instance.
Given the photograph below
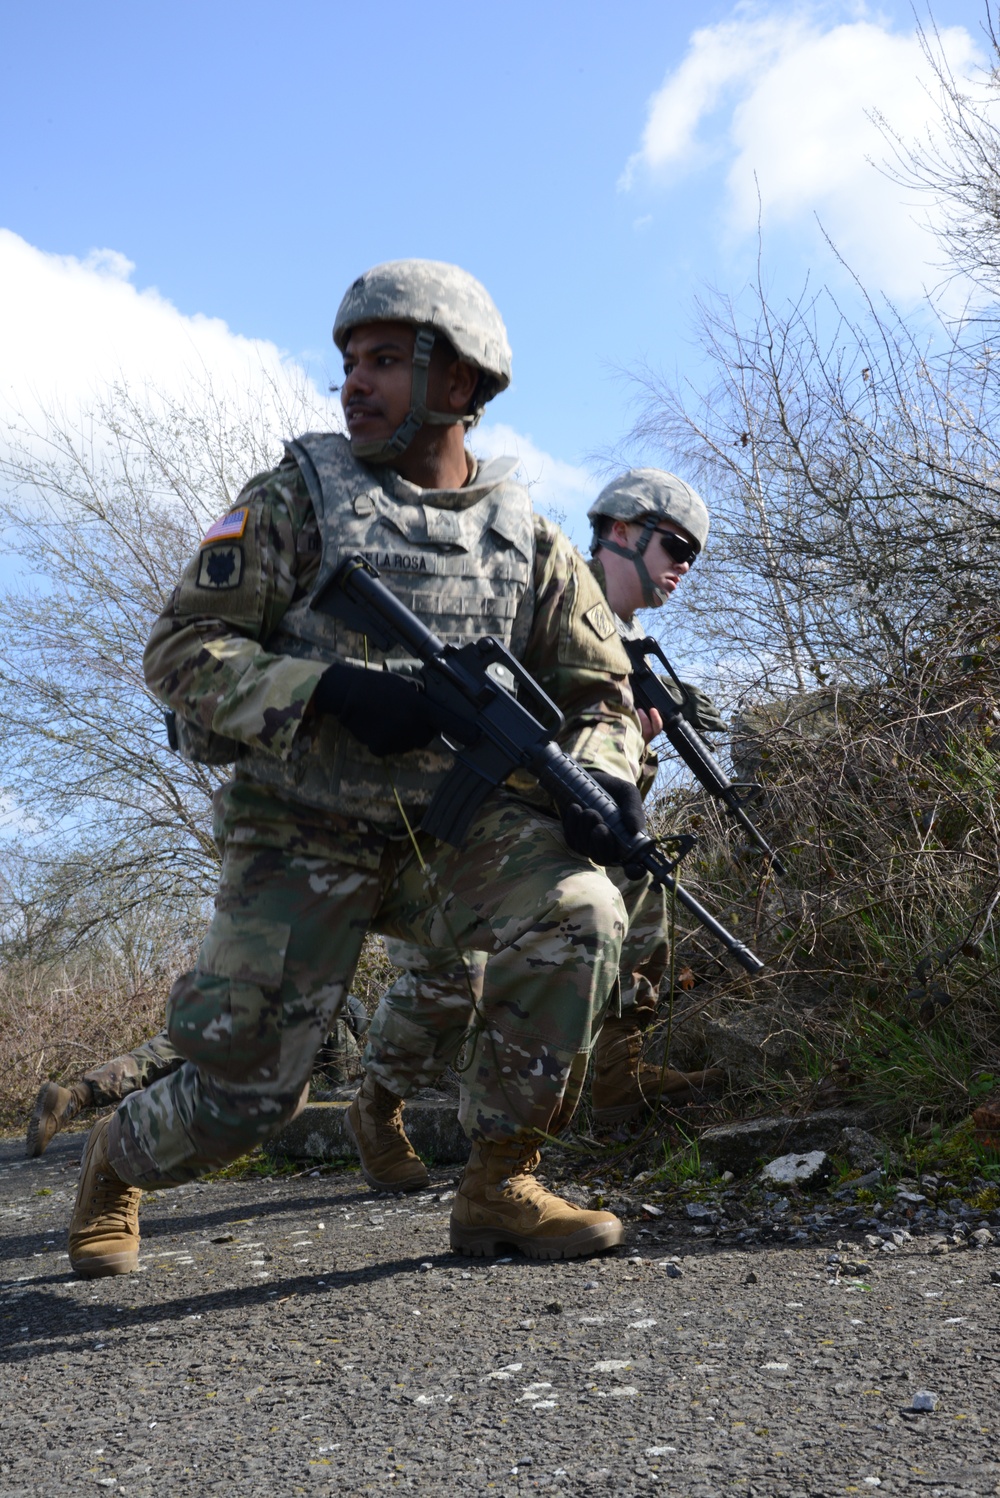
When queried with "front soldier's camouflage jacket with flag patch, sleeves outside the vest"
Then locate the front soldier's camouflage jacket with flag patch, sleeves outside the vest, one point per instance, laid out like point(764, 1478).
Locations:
point(212, 652)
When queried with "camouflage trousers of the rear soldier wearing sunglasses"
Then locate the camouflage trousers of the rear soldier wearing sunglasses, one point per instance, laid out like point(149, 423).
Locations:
point(433, 1010)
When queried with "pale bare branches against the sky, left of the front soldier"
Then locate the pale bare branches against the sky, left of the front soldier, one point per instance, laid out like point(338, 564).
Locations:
point(104, 512)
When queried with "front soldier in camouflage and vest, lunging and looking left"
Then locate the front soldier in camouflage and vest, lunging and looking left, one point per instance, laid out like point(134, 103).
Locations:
point(336, 762)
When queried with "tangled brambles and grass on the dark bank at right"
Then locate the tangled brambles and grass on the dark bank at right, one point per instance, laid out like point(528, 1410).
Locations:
point(884, 971)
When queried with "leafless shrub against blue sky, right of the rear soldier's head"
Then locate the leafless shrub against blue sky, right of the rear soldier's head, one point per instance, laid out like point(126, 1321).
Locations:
point(851, 468)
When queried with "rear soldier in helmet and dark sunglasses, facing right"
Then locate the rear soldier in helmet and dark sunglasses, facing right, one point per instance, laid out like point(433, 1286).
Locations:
point(649, 527)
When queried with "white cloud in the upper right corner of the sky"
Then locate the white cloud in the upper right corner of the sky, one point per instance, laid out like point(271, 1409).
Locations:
point(784, 100)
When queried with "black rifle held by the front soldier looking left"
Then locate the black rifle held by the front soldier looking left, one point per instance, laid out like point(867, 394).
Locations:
point(501, 732)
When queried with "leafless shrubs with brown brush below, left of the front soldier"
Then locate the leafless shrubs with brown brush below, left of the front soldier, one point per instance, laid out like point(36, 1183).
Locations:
point(109, 861)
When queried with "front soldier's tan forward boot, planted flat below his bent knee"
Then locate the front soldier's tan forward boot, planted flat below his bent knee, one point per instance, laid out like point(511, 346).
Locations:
point(501, 1205)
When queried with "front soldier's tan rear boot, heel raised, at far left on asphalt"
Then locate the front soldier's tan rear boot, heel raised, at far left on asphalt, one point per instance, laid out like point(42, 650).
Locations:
point(104, 1231)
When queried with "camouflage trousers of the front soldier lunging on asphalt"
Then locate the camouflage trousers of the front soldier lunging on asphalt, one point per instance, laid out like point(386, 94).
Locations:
point(282, 950)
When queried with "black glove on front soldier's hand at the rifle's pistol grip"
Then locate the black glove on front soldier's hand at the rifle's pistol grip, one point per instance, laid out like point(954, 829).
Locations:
point(388, 712)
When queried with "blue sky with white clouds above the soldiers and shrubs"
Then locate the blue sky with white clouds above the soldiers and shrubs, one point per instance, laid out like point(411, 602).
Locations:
point(597, 167)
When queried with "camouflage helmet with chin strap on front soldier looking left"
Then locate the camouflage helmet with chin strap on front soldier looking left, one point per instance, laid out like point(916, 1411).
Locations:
point(438, 300)
